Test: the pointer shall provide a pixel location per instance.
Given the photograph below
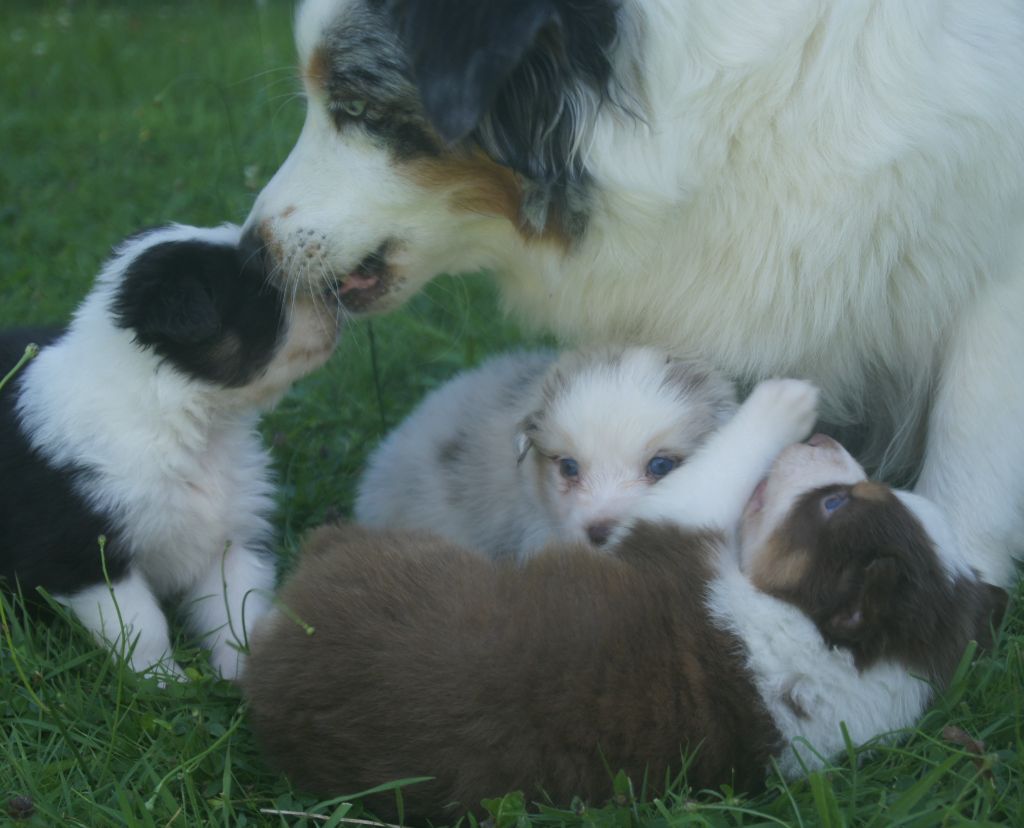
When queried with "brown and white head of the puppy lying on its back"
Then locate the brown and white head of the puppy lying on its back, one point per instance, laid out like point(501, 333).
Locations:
point(876, 570)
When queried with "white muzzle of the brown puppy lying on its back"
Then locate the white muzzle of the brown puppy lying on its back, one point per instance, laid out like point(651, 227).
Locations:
point(799, 469)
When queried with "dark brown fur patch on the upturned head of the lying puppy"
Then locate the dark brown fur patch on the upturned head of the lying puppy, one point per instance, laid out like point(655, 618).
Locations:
point(869, 578)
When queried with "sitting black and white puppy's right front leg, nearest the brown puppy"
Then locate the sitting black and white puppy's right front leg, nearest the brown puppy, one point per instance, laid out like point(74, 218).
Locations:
point(227, 602)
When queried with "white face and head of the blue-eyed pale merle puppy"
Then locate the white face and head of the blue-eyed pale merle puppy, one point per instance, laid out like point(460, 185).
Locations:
point(610, 425)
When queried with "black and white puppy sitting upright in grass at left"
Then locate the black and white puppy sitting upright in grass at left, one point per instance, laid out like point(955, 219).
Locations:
point(139, 423)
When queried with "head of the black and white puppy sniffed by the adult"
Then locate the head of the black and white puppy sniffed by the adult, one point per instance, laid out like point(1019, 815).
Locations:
point(203, 304)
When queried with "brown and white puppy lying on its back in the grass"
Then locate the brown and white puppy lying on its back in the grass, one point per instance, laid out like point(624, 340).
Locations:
point(426, 660)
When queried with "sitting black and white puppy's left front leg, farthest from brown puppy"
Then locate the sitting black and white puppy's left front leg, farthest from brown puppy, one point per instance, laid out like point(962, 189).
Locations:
point(127, 617)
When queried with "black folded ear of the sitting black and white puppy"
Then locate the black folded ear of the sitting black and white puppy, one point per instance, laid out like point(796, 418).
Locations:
point(167, 295)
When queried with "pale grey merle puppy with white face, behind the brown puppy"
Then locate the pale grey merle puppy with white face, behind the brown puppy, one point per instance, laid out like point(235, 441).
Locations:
point(530, 448)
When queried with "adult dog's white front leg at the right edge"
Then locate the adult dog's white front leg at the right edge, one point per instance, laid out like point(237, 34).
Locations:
point(974, 464)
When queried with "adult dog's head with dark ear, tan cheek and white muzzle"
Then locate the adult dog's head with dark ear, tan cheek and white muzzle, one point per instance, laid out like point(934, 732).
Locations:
point(448, 126)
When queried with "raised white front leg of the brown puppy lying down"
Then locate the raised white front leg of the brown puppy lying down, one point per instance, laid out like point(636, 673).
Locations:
point(711, 490)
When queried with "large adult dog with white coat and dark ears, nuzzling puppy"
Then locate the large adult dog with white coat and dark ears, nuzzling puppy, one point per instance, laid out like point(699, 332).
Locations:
point(826, 190)
